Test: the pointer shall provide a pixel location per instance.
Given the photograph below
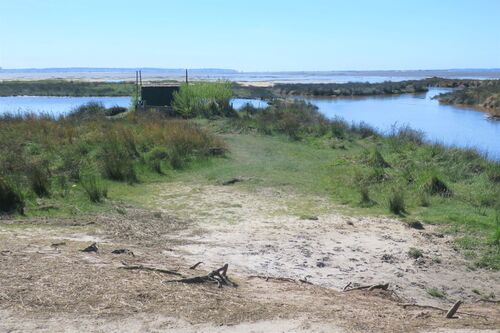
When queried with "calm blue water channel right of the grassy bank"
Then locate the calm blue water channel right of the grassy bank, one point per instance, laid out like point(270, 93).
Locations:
point(450, 125)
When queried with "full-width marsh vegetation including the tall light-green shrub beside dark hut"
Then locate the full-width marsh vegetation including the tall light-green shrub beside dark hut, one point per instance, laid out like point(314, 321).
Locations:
point(88, 156)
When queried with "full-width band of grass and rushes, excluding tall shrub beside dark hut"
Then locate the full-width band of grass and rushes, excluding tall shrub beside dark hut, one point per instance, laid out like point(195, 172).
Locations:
point(289, 147)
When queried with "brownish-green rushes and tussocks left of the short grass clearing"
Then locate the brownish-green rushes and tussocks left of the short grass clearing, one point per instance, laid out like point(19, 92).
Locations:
point(39, 151)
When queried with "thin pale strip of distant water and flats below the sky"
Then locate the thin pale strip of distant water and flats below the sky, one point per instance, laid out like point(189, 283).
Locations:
point(159, 74)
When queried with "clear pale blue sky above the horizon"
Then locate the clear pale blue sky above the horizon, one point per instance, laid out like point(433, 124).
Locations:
point(256, 35)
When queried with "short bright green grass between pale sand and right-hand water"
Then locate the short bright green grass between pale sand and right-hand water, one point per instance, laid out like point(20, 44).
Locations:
point(311, 166)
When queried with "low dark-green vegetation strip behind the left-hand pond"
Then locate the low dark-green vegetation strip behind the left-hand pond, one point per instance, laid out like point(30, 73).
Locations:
point(65, 88)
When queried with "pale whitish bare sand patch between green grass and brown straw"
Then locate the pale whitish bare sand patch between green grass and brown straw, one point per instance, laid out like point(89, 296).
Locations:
point(258, 233)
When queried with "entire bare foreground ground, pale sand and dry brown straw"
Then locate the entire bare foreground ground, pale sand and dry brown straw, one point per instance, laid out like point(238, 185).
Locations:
point(48, 285)
